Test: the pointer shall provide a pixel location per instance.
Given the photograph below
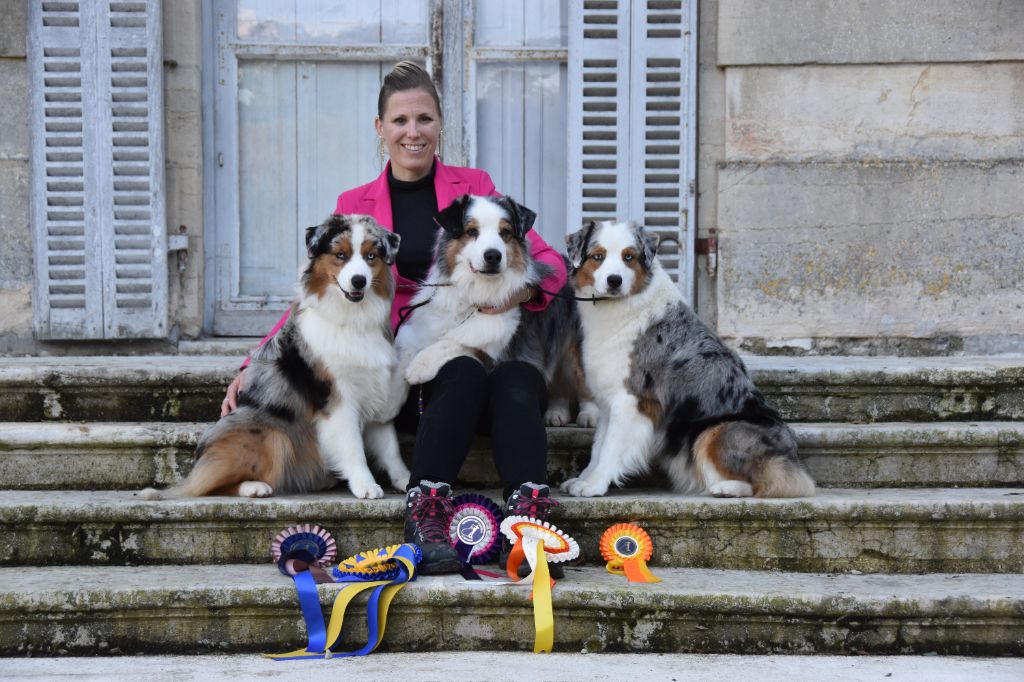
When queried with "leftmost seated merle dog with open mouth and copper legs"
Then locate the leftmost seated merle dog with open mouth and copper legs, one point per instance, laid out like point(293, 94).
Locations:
point(318, 392)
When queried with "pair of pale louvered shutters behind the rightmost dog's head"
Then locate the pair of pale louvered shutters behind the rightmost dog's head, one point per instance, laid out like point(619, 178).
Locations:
point(645, 52)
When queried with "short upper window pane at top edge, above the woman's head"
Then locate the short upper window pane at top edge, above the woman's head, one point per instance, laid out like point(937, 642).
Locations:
point(357, 22)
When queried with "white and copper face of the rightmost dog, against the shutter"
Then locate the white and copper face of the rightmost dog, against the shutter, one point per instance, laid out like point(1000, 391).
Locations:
point(612, 259)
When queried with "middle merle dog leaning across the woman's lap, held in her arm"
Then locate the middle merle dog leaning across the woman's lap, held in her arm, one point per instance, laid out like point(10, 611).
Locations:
point(483, 259)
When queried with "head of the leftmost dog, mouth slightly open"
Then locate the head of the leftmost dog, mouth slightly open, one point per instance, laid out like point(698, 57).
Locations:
point(351, 253)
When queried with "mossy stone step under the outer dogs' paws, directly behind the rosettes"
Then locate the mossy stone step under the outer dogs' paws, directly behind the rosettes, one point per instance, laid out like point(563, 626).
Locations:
point(871, 531)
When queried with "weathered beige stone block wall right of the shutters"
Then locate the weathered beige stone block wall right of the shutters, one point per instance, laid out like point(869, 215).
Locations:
point(871, 191)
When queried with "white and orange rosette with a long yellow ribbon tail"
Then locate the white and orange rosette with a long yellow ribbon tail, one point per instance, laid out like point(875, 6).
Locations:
point(538, 543)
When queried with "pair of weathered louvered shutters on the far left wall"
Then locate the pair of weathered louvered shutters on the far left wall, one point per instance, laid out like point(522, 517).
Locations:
point(98, 195)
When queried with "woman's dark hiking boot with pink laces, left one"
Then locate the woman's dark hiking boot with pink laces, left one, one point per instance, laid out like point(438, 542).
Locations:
point(429, 514)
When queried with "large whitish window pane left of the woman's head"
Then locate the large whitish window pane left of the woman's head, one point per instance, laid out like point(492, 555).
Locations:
point(306, 135)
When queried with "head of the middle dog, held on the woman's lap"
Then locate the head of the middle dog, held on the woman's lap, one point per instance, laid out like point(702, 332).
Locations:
point(486, 235)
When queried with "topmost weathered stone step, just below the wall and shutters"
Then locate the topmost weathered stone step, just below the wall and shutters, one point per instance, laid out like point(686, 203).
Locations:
point(808, 390)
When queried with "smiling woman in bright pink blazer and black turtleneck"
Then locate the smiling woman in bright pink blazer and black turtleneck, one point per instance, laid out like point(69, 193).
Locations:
point(510, 401)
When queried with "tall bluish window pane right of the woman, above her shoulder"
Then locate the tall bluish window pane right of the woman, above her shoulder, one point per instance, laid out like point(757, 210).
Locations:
point(521, 138)
